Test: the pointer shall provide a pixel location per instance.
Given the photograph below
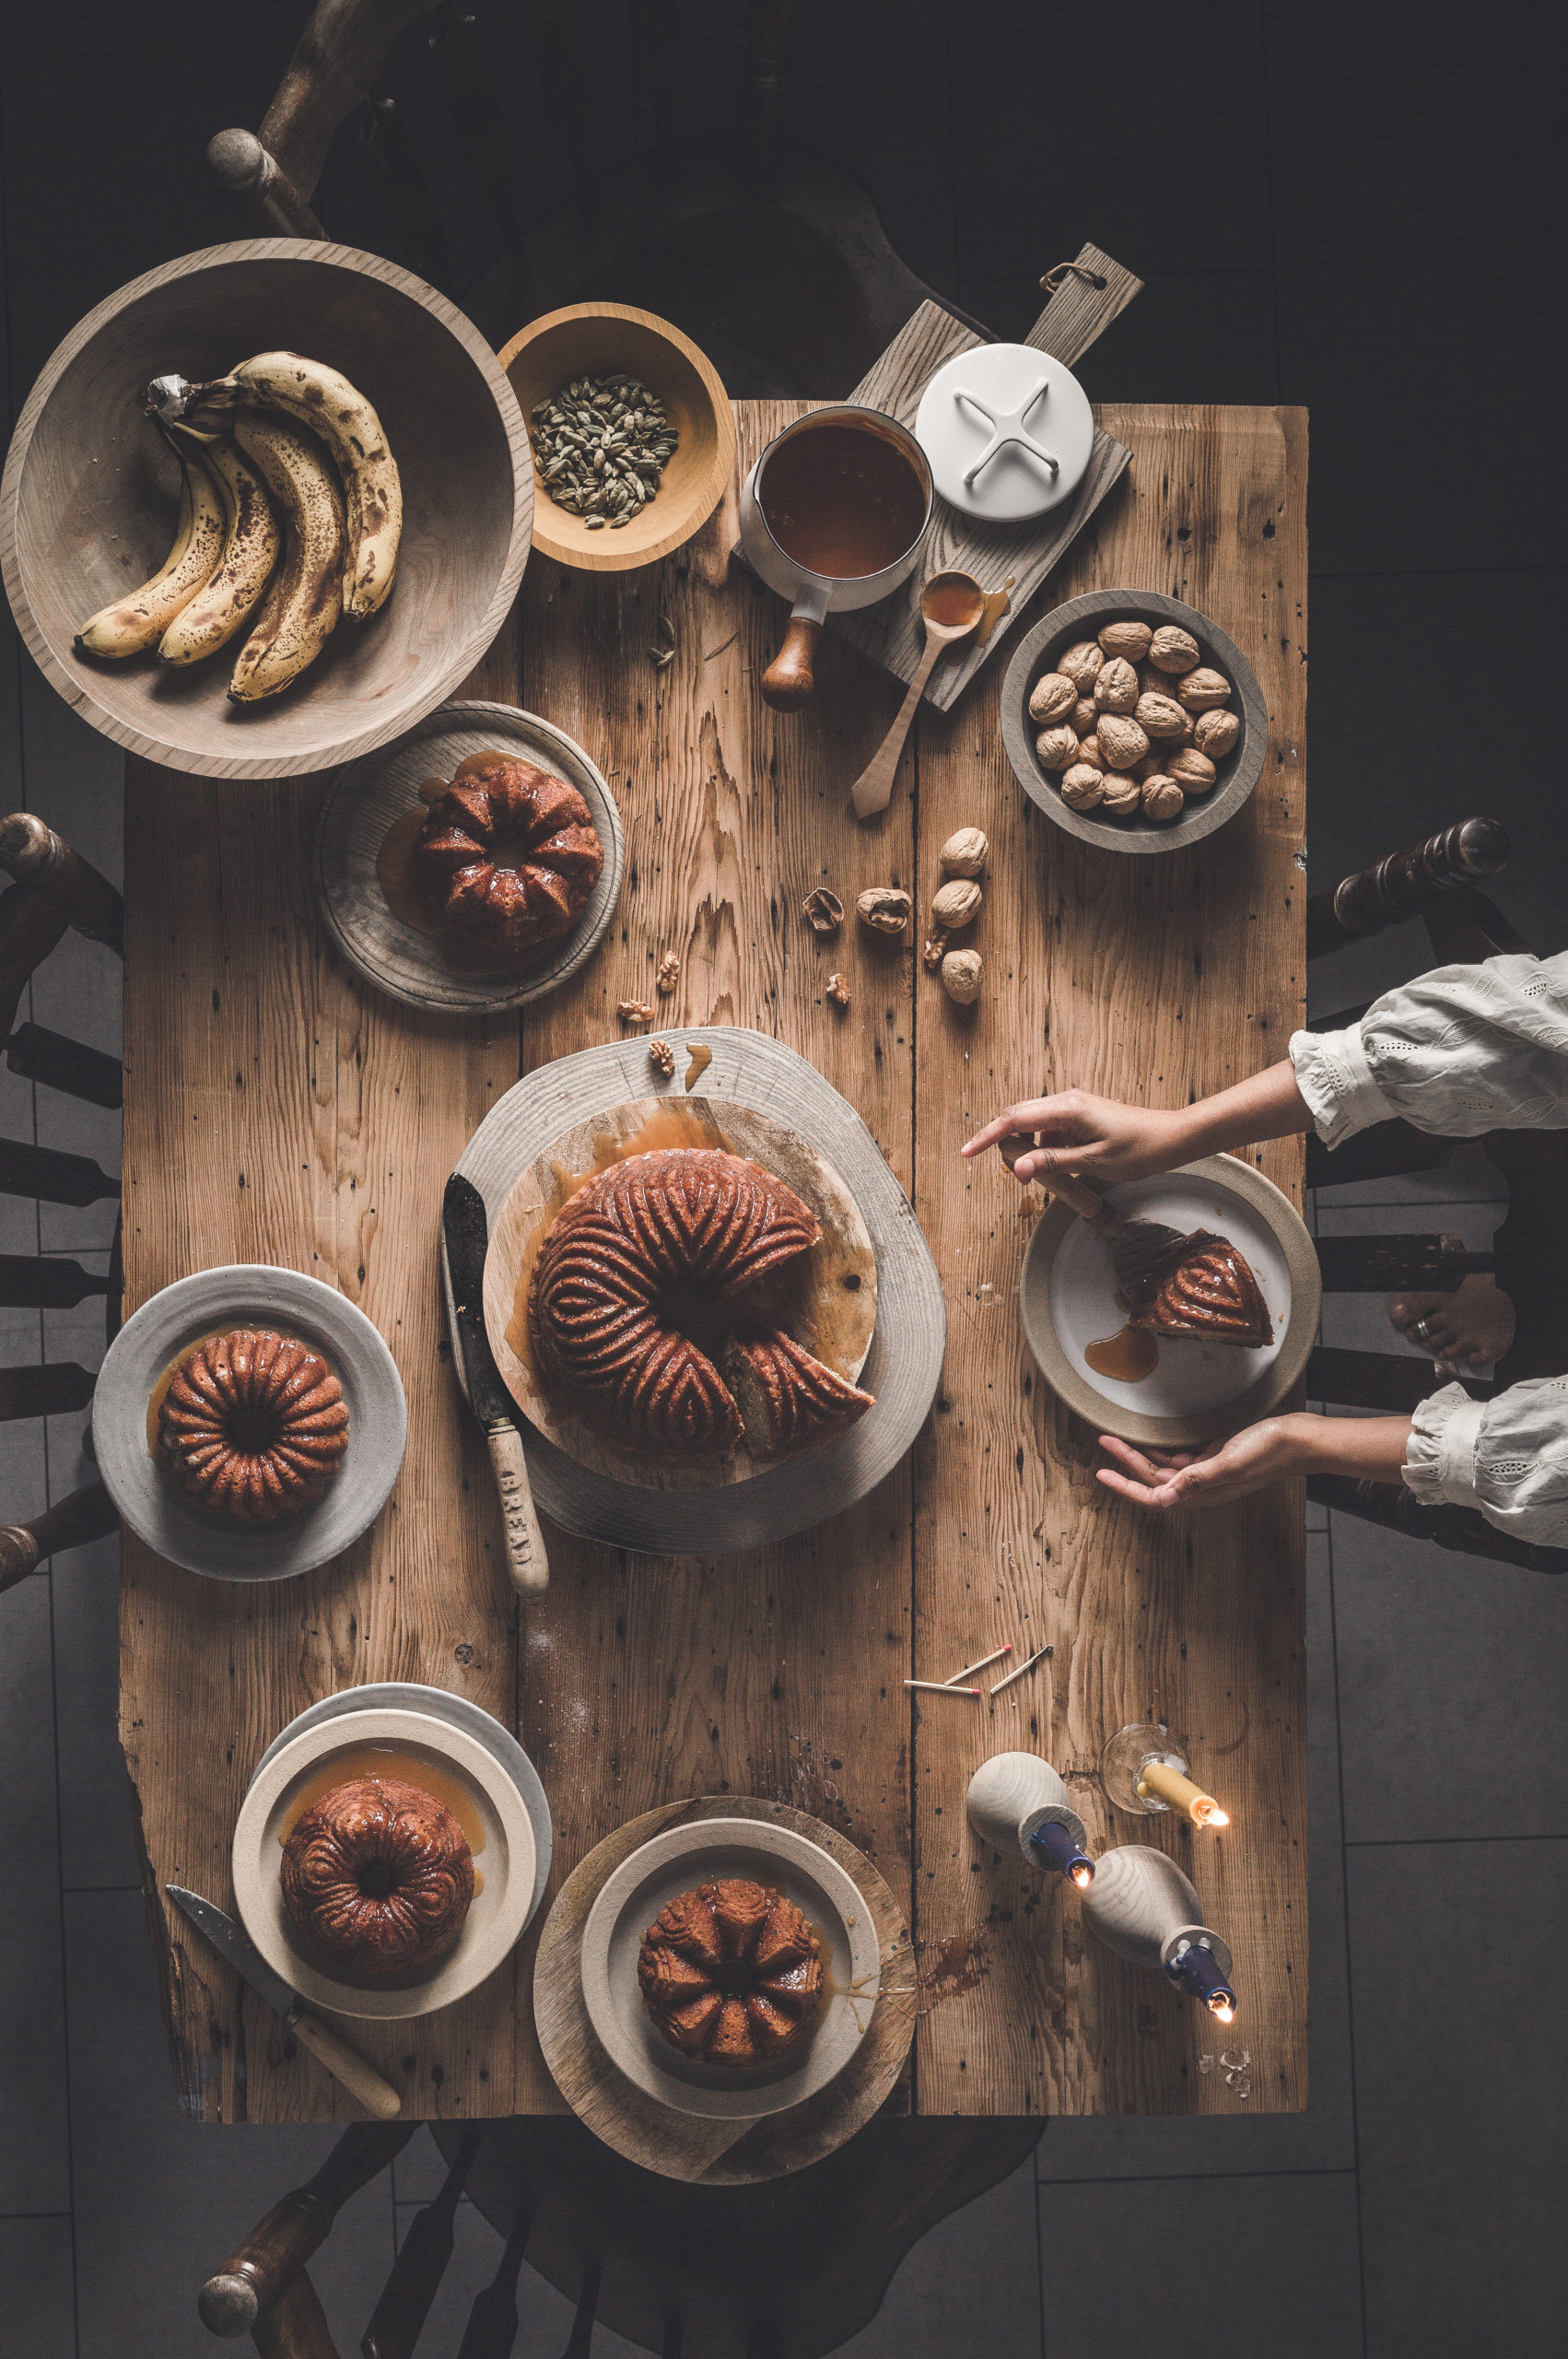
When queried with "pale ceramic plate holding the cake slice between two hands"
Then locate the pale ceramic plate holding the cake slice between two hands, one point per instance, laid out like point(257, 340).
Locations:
point(1199, 1388)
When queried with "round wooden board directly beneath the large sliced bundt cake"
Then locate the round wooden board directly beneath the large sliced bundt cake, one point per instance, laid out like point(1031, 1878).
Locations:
point(831, 1303)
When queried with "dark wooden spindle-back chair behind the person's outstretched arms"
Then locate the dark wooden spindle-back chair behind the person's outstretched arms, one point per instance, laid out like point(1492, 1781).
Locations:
point(1437, 881)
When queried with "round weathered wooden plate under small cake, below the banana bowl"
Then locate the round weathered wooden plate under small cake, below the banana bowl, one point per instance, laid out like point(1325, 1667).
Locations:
point(367, 801)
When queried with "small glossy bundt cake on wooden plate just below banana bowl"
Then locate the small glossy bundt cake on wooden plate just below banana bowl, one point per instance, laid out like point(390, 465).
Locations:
point(508, 860)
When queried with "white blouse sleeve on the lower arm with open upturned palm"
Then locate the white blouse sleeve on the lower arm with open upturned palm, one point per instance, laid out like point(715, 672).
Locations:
point(1503, 1457)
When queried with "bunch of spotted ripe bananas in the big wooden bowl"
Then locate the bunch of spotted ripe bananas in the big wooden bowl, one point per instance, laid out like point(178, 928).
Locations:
point(286, 489)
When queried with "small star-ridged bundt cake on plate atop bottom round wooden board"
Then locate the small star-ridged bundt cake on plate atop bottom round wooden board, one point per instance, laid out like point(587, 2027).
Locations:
point(732, 1973)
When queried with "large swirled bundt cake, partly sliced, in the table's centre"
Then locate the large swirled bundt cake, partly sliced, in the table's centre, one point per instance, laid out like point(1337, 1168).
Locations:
point(650, 1249)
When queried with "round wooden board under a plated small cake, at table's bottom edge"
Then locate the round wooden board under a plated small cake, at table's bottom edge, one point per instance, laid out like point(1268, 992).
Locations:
point(685, 2146)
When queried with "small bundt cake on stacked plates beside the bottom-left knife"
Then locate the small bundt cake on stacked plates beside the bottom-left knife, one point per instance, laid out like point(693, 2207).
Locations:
point(378, 1877)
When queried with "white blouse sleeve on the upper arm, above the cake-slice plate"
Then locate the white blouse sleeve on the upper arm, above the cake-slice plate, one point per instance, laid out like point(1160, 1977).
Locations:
point(1458, 1051)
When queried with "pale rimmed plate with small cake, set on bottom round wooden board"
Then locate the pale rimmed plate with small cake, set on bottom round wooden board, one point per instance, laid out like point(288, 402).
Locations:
point(697, 1855)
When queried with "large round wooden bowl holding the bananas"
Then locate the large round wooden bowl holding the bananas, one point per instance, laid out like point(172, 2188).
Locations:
point(88, 501)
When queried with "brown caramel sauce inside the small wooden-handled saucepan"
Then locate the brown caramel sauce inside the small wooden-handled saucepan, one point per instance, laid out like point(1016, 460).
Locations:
point(843, 501)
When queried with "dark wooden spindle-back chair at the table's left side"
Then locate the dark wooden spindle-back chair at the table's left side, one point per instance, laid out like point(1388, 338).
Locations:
point(55, 893)
